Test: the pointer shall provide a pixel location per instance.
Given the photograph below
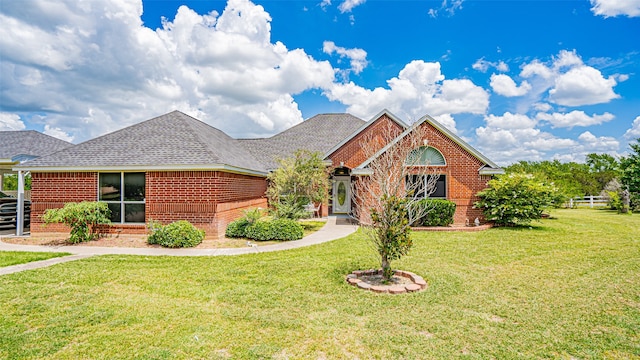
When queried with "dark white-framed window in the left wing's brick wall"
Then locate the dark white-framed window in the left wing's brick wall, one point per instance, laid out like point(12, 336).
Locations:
point(124, 193)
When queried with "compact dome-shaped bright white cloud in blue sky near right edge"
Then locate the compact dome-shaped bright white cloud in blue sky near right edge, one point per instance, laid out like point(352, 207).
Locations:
point(582, 85)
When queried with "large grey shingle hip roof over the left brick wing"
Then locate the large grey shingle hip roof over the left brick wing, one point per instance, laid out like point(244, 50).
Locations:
point(170, 140)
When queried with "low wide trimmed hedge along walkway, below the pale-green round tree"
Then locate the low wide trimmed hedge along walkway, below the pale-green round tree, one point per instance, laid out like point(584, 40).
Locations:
point(264, 230)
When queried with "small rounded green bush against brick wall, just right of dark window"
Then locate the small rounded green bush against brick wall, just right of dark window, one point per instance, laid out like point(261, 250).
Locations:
point(177, 234)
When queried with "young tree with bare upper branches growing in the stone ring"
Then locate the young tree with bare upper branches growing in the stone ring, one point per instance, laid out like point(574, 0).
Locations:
point(385, 199)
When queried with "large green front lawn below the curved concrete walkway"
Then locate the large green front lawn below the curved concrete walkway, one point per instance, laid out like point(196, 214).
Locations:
point(566, 288)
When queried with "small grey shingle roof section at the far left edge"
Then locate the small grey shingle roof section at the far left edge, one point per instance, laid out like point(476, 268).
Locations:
point(30, 143)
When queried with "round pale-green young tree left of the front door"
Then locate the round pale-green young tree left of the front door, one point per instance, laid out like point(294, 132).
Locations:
point(300, 179)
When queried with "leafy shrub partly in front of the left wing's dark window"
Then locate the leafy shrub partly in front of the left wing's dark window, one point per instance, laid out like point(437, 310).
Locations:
point(83, 218)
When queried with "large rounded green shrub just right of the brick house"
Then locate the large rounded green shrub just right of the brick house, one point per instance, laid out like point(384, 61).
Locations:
point(515, 199)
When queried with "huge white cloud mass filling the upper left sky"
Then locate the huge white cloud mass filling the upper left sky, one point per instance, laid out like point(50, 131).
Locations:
point(98, 65)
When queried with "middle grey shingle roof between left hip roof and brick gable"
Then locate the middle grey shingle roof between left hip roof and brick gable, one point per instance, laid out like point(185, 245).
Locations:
point(319, 133)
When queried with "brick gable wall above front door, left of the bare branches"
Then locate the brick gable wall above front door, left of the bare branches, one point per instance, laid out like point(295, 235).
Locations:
point(351, 153)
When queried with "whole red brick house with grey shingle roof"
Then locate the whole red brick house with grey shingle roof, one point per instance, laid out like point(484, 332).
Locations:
point(176, 167)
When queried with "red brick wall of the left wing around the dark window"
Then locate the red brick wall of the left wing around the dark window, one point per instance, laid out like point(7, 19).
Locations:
point(207, 199)
